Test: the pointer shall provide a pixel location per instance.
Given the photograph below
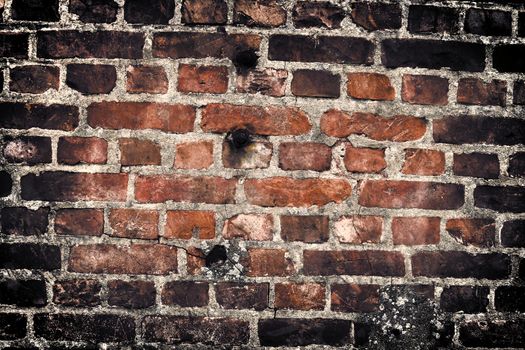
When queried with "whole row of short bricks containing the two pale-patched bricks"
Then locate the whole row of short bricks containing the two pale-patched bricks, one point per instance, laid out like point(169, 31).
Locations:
point(184, 224)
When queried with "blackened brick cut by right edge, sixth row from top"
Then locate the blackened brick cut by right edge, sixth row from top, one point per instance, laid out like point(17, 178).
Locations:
point(500, 198)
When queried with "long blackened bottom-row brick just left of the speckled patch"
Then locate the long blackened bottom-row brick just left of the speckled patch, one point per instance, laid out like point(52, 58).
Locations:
point(302, 332)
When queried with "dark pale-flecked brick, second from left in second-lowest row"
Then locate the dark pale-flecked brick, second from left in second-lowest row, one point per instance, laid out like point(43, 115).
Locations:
point(77, 292)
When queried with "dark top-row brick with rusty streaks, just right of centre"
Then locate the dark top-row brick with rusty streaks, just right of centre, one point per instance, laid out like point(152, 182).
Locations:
point(317, 14)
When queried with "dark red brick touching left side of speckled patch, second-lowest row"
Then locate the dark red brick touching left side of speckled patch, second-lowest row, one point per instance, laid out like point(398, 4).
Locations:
point(355, 297)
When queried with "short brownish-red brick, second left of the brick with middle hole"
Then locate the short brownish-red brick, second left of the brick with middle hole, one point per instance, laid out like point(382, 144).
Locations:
point(139, 152)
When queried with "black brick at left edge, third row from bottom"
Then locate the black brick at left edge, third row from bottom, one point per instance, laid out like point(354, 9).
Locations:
point(29, 256)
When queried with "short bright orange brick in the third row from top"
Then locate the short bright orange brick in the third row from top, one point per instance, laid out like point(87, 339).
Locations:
point(370, 86)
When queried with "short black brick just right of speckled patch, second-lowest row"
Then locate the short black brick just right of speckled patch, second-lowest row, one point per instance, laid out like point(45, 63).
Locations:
point(470, 300)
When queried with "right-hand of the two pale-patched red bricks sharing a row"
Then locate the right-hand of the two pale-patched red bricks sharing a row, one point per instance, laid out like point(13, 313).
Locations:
point(358, 229)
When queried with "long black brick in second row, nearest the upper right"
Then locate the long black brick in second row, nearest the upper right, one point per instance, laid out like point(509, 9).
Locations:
point(433, 54)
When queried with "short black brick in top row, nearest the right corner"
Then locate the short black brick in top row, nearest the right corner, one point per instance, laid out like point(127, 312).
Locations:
point(488, 22)
